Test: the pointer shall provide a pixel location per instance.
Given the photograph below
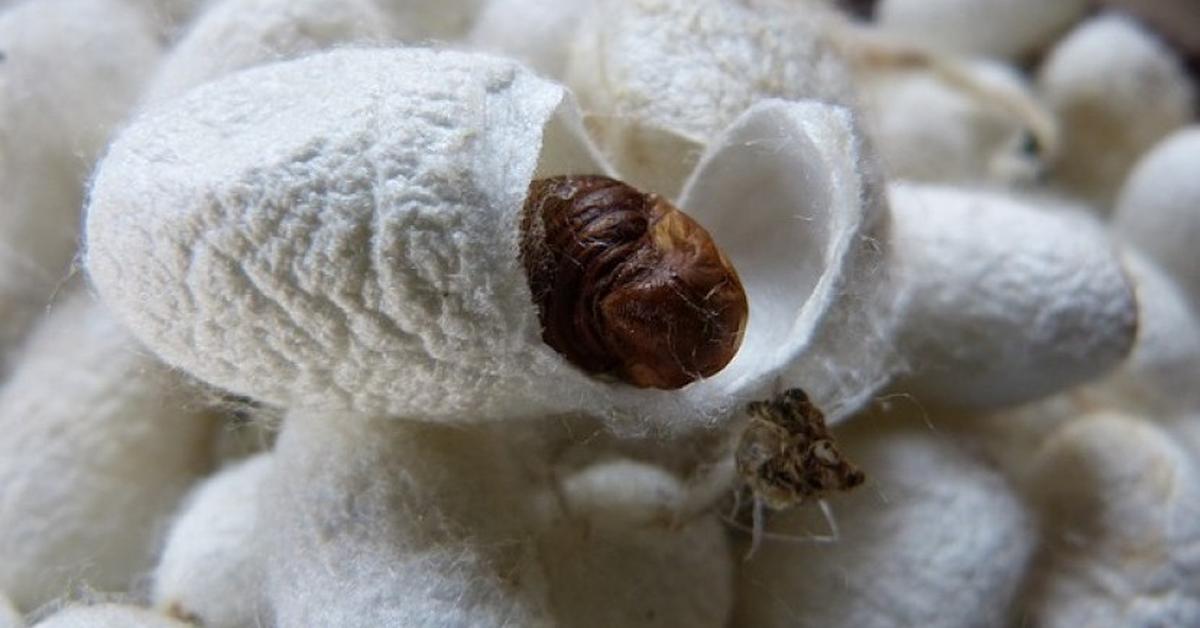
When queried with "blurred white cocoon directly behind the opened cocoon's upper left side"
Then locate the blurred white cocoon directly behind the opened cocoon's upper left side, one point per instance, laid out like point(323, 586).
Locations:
point(236, 34)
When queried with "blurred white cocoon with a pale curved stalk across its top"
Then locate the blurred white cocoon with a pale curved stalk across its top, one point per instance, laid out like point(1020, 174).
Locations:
point(932, 129)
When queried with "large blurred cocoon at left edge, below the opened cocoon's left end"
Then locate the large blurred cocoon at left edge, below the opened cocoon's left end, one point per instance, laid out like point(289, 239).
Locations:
point(100, 442)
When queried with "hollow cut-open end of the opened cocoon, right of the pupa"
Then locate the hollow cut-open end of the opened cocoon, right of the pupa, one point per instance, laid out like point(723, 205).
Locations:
point(795, 200)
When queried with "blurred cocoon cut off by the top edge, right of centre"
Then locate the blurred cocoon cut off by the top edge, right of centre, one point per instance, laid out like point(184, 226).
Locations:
point(1006, 29)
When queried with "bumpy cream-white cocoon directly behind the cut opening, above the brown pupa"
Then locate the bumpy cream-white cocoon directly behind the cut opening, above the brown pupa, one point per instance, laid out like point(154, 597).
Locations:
point(661, 79)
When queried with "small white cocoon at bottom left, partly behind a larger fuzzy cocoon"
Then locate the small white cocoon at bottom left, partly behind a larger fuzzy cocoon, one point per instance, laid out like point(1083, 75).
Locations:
point(212, 570)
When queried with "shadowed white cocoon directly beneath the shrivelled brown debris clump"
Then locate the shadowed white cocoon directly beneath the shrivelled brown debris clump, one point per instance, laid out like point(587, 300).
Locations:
point(935, 539)
